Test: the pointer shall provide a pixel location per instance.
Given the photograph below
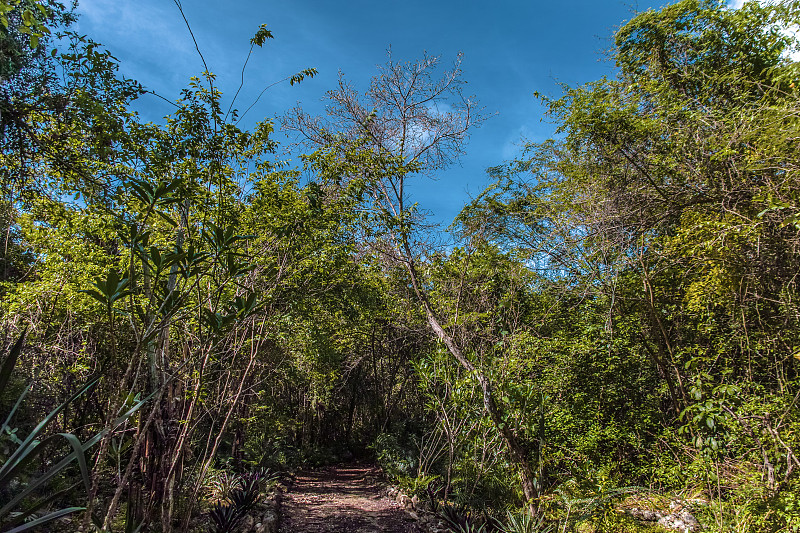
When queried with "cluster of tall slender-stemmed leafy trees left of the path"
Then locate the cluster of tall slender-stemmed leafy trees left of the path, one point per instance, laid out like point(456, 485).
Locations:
point(158, 293)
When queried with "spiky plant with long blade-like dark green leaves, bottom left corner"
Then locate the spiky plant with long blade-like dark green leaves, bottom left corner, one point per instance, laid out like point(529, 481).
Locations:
point(20, 512)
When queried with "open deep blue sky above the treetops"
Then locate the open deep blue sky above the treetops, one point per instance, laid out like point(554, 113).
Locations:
point(511, 49)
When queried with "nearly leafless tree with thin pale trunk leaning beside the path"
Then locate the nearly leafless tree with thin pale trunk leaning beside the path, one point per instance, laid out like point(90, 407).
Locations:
point(411, 121)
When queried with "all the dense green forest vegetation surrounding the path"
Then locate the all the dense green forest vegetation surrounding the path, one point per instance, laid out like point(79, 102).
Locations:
point(617, 317)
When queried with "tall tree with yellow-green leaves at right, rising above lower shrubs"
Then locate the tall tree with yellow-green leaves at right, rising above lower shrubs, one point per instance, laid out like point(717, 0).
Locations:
point(671, 199)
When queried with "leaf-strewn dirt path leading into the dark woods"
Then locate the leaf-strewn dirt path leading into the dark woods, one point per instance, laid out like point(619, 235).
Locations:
point(342, 499)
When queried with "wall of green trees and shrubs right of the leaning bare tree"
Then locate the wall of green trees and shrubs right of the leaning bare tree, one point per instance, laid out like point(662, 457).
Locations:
point(660, 227)
